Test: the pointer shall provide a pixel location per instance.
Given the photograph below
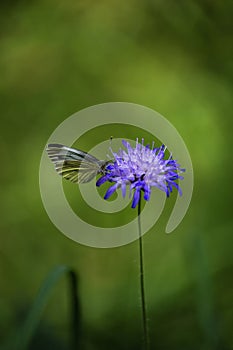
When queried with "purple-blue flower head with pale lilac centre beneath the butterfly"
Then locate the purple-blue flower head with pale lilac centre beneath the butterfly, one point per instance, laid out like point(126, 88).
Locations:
point(141, 167)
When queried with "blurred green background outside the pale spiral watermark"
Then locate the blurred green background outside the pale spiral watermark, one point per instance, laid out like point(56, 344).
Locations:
point(58, 57)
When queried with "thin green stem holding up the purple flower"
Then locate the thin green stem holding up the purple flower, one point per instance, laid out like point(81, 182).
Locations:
point(142, 287)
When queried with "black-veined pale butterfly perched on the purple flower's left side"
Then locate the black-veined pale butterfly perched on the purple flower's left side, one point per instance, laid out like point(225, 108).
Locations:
point(75, 165)
